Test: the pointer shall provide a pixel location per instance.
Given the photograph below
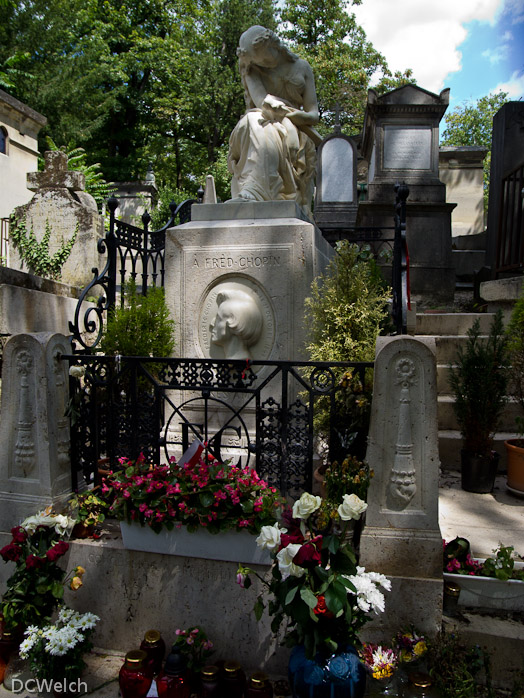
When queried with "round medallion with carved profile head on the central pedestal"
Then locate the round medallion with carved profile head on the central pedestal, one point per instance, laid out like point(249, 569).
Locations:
point(236, 321)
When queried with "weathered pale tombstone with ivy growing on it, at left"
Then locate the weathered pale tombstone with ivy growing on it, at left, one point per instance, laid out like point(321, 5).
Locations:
point(61, 202)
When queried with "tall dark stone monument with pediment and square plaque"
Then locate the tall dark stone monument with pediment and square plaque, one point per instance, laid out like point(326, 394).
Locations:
point(400, 143)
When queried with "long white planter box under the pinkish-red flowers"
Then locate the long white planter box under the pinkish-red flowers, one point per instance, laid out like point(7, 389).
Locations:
point(230, 546)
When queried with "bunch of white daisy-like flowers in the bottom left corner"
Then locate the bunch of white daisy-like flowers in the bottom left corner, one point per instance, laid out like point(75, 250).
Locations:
point(56, 650)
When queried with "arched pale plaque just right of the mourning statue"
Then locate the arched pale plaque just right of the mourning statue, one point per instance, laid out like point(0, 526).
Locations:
point(337, 171)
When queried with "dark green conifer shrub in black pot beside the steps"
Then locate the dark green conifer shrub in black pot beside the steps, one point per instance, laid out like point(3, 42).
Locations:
point(478, 382)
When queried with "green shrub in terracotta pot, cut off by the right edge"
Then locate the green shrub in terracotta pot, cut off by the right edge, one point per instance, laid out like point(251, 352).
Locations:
point(515, 447)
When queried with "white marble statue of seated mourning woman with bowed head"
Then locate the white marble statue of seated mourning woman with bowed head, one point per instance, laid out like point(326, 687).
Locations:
point(272, 148)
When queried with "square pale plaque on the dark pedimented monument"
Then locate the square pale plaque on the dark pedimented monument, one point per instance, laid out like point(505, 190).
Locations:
point(407, 148)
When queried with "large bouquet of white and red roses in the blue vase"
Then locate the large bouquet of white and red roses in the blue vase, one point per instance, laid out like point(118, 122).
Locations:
point(316, 584)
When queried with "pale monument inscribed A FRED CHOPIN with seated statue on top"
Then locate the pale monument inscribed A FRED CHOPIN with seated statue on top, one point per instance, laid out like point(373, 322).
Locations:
point(238, 273)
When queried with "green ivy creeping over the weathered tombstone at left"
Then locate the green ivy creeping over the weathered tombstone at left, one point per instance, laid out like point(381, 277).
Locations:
point(36, 254)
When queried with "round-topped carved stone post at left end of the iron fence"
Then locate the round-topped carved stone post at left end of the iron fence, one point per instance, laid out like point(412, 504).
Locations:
point(35, 470)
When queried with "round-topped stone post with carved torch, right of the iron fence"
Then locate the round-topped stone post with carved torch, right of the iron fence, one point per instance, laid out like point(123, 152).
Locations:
point(401, 537)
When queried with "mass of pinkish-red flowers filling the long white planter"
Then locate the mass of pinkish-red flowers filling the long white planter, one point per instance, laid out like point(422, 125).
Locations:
point(217, 496)
